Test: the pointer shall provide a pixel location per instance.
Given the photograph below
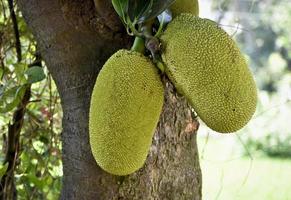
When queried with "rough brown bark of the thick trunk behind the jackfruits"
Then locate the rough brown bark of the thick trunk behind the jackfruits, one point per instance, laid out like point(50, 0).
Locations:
point(75, 38)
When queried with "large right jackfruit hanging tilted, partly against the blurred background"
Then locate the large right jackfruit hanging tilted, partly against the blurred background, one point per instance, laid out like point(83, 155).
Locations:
point(208, 68)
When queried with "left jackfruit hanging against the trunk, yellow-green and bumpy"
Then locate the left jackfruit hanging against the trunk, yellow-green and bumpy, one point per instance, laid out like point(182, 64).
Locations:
point(126, 102)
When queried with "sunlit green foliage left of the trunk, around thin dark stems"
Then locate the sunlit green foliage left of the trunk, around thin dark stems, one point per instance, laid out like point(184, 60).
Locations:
point(38, 169)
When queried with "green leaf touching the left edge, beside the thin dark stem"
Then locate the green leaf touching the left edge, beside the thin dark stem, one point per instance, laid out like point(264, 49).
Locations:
point(11, 98)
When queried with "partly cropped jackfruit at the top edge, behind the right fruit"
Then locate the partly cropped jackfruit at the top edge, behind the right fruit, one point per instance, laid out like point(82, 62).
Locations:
point(185, 6)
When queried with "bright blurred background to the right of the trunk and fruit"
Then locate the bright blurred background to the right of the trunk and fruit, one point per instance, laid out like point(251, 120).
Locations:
point(255, 163)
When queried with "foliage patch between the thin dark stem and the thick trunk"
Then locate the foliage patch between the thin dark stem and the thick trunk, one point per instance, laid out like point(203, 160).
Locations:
point(40, 168)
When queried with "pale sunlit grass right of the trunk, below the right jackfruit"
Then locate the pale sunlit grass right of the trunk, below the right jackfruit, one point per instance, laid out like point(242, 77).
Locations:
point(228, 175)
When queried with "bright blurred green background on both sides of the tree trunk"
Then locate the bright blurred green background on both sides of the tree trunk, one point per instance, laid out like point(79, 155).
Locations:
point(253, 164)
